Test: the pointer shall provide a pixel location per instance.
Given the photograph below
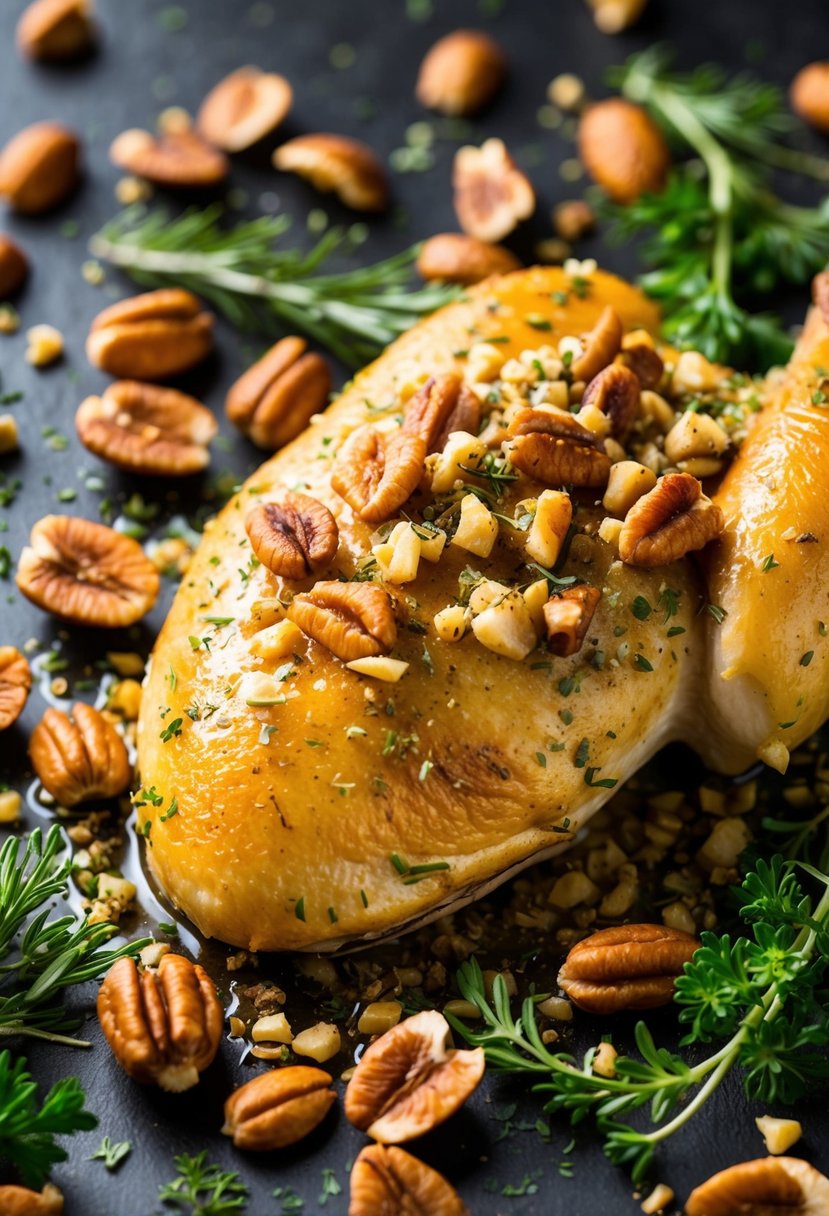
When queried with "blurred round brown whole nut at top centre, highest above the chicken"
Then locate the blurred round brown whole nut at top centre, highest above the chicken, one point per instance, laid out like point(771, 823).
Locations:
point(461, 74)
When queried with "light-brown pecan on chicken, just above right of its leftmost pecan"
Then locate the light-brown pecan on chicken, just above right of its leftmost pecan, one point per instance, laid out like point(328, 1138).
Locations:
point(376, 472)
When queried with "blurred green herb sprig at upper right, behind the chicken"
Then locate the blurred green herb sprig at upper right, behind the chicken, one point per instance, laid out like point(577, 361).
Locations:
point(718, 238)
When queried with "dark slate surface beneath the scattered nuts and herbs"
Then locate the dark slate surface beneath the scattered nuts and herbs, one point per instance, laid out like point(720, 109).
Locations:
point(140, 67)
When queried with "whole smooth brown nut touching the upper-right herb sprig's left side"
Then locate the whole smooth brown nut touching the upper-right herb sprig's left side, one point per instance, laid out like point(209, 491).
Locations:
point(623, 150)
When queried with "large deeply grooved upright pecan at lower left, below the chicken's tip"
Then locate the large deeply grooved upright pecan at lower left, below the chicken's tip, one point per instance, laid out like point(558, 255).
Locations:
point(163, 1026)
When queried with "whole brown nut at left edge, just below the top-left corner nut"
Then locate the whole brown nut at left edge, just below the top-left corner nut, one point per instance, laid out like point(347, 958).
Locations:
point(40, 168)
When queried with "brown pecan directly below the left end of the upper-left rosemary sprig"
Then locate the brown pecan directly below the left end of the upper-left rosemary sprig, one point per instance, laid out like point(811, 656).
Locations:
point(151, 336)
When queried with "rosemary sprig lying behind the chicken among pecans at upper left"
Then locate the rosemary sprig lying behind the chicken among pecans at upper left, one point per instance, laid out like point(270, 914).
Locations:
point(263, 289)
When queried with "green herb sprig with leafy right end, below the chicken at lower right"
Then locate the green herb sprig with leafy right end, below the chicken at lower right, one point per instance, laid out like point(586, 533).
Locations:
point(758, 995)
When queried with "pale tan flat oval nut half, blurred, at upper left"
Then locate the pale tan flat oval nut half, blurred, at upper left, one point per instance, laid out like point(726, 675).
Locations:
point(244, 109)
